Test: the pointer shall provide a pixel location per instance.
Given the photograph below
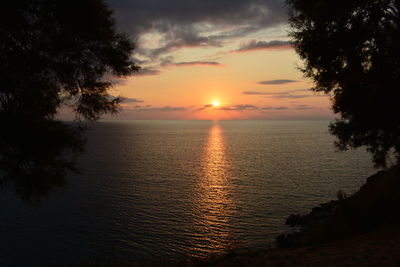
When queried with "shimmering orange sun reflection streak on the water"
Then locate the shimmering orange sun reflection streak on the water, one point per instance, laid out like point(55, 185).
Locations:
point(214, 202)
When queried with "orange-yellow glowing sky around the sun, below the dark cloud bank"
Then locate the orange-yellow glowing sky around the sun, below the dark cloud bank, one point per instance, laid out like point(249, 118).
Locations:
point(229, 93)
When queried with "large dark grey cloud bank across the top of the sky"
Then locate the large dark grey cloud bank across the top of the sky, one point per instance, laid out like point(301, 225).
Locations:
point(195, 23)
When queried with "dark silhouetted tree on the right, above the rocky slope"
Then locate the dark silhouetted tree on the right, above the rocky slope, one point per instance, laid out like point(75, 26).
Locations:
point(351, 51)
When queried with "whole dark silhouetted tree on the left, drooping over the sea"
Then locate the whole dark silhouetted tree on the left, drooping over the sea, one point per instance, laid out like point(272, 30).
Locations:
point(53, 53)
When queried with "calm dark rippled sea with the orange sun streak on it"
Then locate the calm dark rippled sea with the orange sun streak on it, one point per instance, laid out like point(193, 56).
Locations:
point(151, 190)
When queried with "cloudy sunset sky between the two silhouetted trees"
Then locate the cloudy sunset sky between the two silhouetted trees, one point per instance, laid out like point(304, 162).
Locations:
point(193, 53)
